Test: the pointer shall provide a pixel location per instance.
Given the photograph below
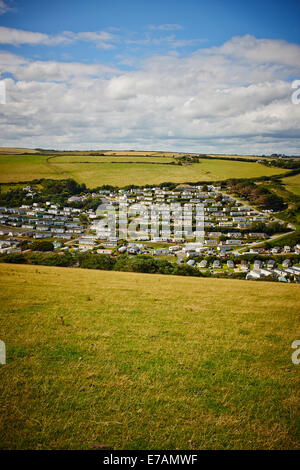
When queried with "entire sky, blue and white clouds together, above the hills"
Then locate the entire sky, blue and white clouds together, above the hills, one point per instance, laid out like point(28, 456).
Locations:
point(180, 75)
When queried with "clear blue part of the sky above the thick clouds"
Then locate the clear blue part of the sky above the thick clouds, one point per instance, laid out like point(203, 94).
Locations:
point(197, 23)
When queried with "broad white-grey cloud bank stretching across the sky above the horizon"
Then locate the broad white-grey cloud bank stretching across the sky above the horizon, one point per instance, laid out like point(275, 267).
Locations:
point(232, 98)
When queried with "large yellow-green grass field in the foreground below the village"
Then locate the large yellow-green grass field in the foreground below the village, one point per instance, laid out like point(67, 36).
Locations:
point(134, 361)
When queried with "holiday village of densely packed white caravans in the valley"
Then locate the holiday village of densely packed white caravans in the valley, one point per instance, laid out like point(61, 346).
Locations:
point(221, 237)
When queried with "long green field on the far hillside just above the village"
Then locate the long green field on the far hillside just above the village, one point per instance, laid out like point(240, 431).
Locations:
point(14, 168)
